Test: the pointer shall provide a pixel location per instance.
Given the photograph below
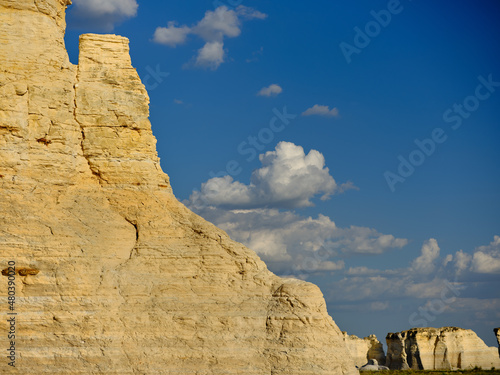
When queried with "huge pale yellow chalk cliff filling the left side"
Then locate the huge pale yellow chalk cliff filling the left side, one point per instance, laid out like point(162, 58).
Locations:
point(128, 281)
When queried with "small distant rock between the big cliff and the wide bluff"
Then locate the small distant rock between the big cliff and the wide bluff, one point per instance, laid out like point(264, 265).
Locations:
point(363, 350)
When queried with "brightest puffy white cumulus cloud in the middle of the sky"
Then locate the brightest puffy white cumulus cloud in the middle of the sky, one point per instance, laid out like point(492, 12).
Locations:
point(288, 178)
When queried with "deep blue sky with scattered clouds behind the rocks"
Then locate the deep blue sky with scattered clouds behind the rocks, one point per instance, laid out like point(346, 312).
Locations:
point(378, 126)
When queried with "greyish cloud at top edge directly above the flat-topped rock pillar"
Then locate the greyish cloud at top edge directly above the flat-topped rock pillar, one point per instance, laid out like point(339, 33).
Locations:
point(103, 14)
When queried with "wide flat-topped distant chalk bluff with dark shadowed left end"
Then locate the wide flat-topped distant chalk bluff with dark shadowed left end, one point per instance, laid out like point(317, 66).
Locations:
point(439, 349)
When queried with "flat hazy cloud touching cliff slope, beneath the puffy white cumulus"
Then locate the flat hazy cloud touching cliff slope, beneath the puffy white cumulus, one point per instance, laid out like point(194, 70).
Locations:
point(291, 243)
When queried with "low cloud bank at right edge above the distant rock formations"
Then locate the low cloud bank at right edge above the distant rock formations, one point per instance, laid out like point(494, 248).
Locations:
point(452, 281)
